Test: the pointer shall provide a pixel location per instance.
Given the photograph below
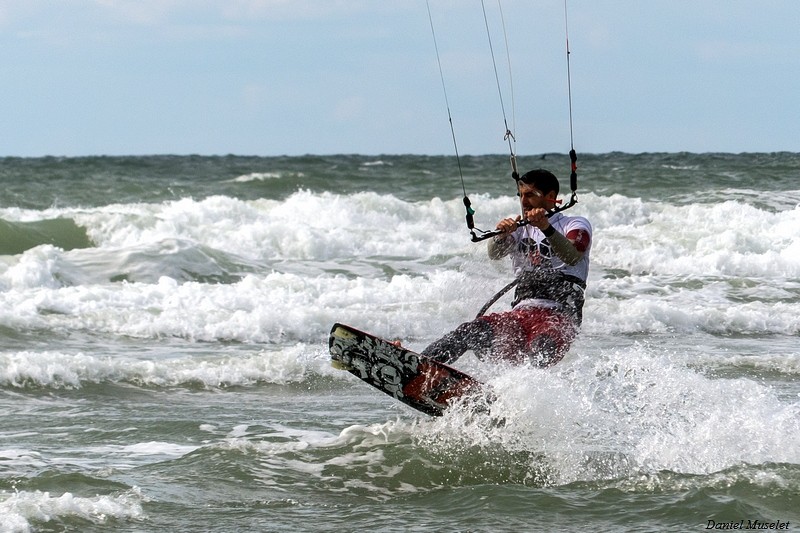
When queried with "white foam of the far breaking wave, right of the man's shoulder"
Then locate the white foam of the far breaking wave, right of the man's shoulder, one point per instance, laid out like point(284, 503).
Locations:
point(730, 238)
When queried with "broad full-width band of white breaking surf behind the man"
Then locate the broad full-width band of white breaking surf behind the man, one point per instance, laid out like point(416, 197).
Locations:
point(395, 267)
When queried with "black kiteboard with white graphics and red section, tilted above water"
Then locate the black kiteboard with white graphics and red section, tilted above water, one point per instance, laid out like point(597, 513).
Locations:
point(416, 380)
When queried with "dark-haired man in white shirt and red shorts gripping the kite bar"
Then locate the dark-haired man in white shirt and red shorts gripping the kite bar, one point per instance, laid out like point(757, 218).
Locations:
point(550, 259)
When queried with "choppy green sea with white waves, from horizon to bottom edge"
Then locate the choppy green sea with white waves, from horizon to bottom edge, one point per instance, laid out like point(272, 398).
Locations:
point(164, 365)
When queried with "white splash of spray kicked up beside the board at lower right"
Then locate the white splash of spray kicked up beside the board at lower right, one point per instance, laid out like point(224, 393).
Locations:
point(629, 412)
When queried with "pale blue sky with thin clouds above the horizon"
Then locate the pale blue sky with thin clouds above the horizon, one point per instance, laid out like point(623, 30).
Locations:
point(293, 77)
